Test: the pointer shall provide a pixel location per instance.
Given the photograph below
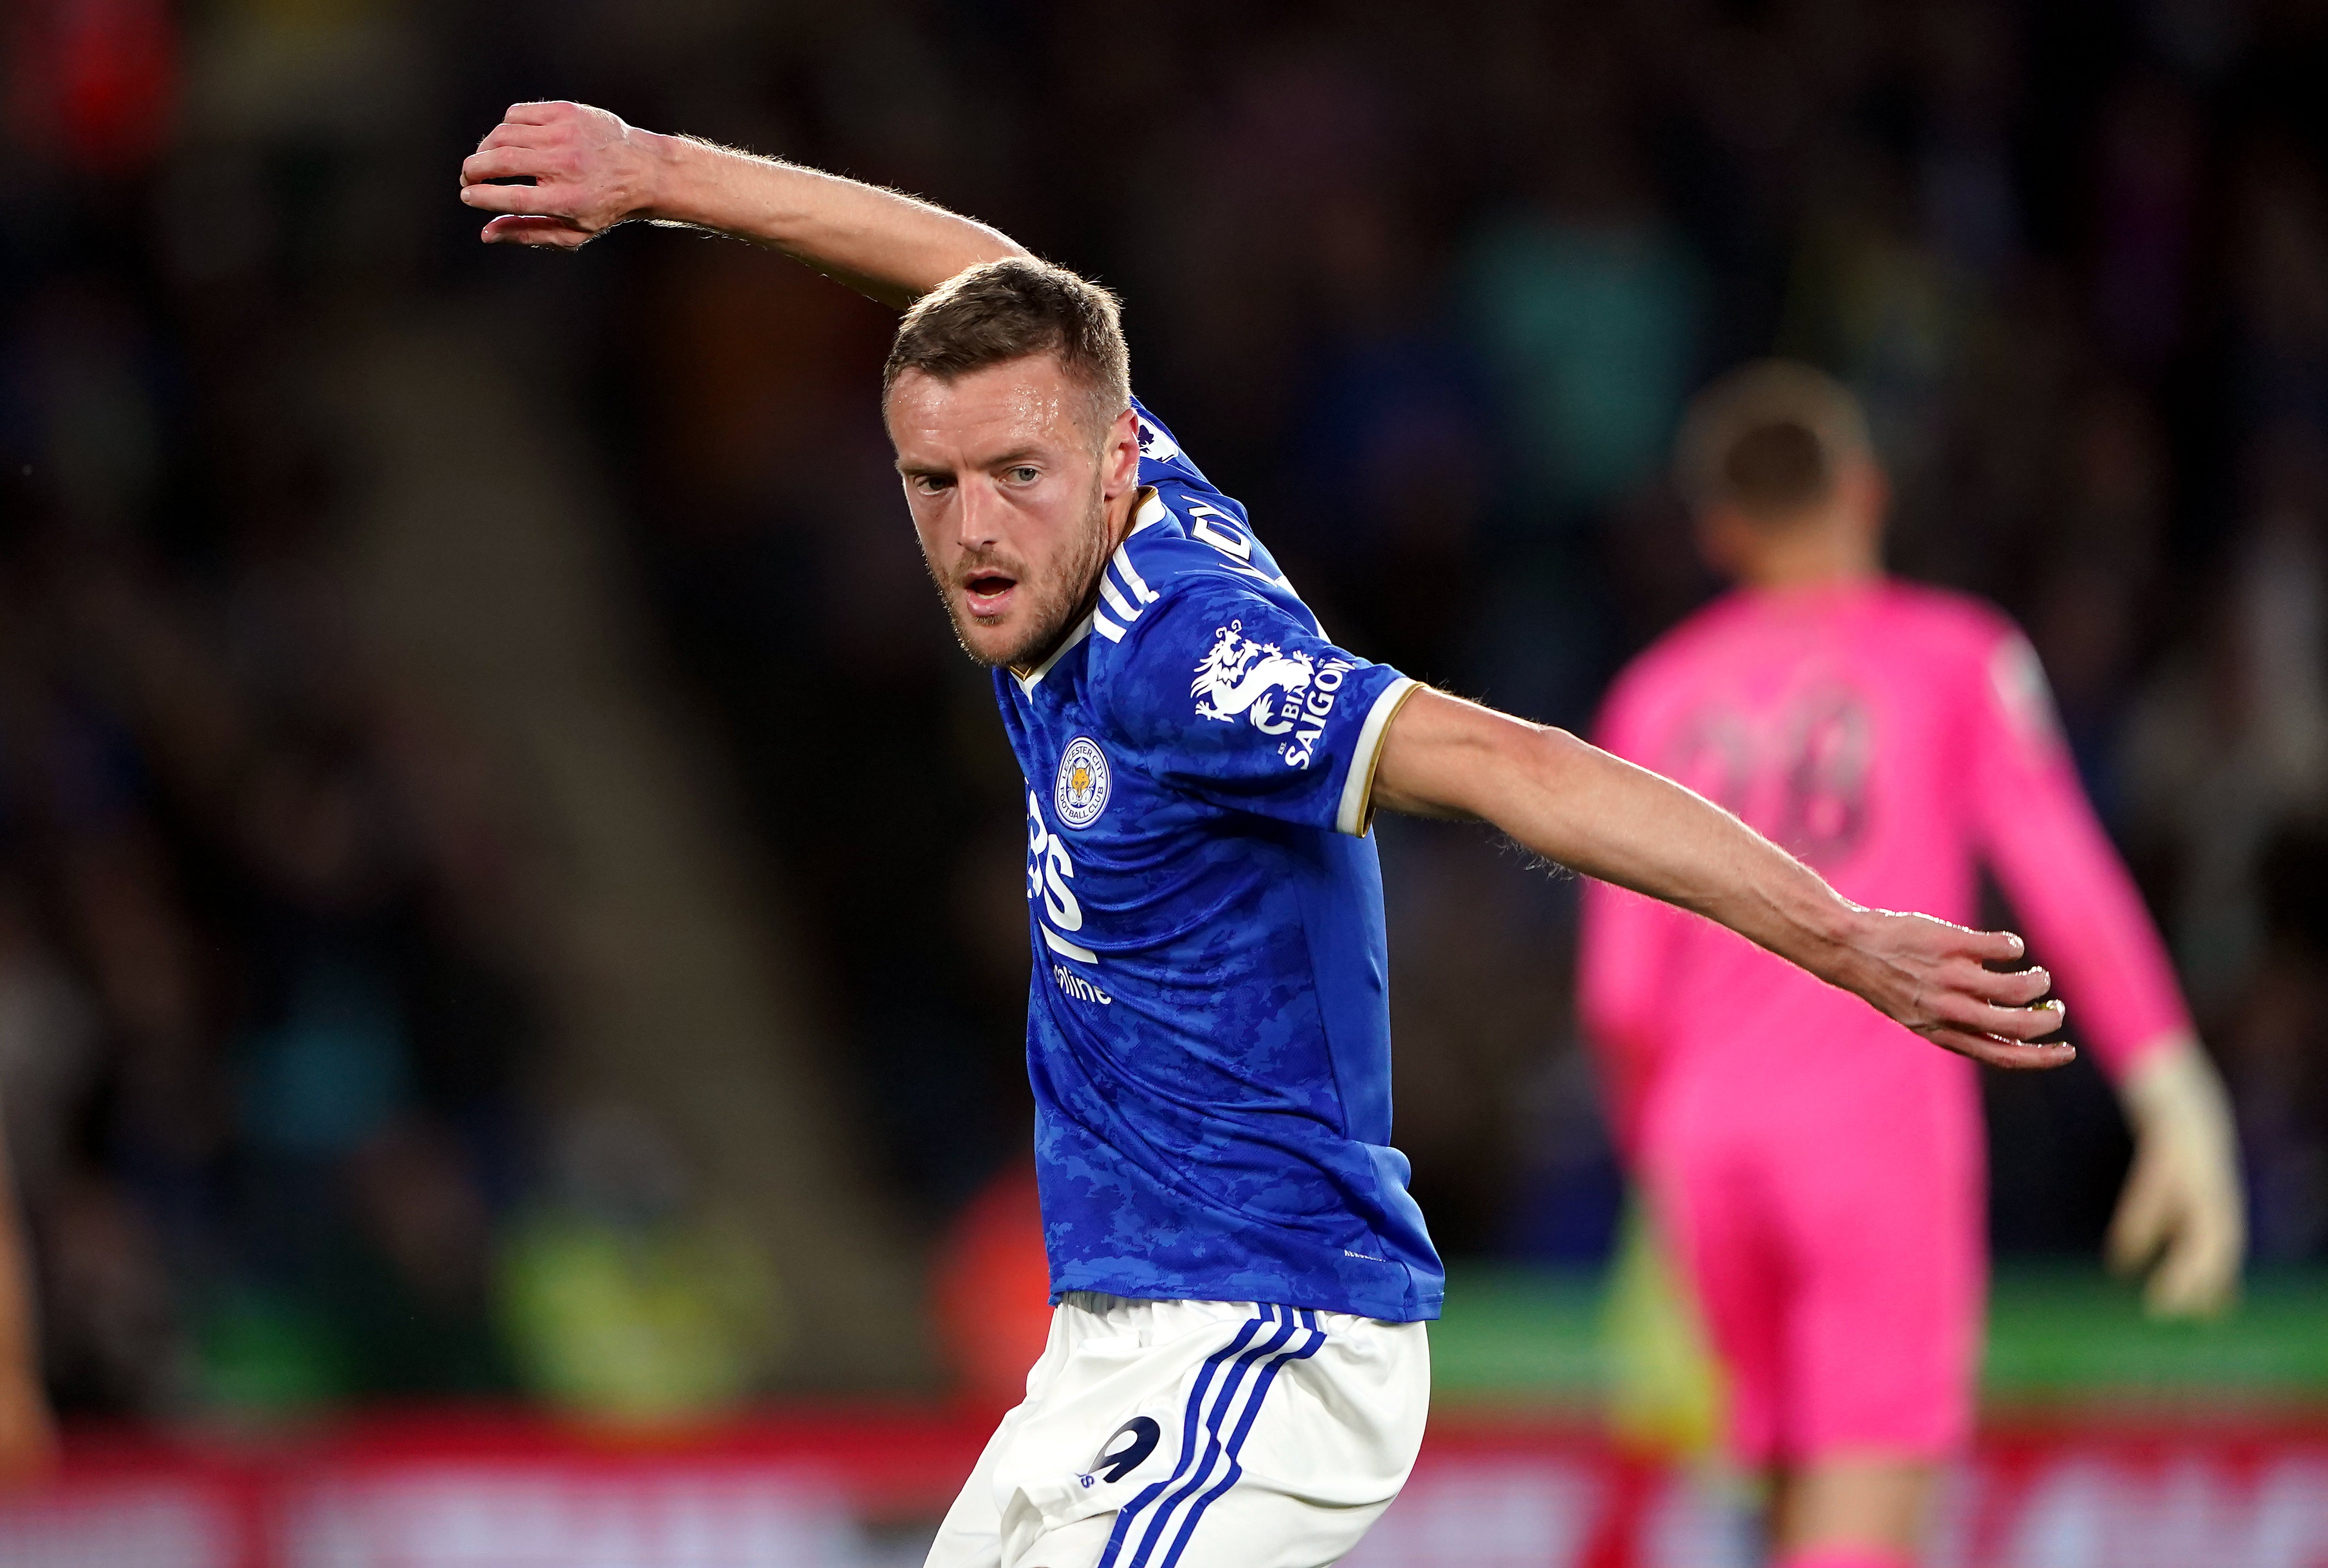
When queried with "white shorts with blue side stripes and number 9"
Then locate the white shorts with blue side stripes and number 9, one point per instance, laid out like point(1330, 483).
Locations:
point(1195, 1434)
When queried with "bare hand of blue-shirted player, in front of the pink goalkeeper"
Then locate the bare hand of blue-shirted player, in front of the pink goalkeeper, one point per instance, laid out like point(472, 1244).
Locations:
point(1936, 978)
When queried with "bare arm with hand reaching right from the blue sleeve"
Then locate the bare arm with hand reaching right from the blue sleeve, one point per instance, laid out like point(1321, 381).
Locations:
point(1605, 818)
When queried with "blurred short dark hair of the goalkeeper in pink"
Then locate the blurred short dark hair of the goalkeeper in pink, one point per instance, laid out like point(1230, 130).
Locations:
point(1768, 441)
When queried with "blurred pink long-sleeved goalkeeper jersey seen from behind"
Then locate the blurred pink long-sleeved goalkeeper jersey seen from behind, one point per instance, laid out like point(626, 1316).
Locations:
point(1896, 739)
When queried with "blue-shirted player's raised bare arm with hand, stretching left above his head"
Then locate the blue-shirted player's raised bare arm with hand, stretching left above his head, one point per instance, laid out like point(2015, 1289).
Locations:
point(592, 171)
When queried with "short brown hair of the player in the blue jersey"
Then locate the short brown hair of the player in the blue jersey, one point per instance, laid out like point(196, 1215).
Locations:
point(1007, 311)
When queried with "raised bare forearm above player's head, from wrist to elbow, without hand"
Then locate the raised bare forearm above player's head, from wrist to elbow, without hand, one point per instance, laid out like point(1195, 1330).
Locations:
point(881, 243)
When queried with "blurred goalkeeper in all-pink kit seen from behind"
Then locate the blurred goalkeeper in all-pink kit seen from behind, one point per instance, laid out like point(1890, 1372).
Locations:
point(1812, 1167)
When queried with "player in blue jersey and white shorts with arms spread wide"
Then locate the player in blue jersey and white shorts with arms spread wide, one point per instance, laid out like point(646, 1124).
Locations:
point(1237, 1371)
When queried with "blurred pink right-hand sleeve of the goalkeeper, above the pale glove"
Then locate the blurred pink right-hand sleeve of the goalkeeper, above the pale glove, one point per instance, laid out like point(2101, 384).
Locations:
point(2057, 864)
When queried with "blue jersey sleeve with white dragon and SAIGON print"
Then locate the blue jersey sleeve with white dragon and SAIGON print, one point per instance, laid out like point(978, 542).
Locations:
point(1240, 701)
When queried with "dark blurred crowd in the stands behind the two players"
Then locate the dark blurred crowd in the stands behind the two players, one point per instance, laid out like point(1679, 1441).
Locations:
point(1424, 285)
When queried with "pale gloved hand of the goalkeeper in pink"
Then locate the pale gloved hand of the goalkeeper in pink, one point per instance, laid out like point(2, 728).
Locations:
point(2182, 1213)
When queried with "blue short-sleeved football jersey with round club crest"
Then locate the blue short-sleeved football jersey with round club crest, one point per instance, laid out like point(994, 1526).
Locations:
point(1209, 1013)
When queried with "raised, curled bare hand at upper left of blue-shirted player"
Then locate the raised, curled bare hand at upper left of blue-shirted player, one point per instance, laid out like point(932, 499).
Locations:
point(590, 173)
